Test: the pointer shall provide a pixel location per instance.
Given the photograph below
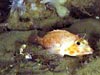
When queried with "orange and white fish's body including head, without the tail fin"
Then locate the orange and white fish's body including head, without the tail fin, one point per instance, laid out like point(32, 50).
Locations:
point(63, 42)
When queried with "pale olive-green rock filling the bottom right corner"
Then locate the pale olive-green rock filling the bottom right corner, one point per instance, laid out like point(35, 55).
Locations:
point(92, 68)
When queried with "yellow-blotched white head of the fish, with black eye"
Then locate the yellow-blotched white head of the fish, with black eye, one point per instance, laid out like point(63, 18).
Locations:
point(79, 48)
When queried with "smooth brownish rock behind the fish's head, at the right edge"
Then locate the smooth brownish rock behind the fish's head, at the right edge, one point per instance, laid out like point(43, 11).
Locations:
point(87, 26)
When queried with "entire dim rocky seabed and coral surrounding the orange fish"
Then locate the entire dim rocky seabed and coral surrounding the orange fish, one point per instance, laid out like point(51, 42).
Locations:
point(20, 20)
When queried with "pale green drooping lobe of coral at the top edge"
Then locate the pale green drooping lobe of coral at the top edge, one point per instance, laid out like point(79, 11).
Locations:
point(58, 4)
